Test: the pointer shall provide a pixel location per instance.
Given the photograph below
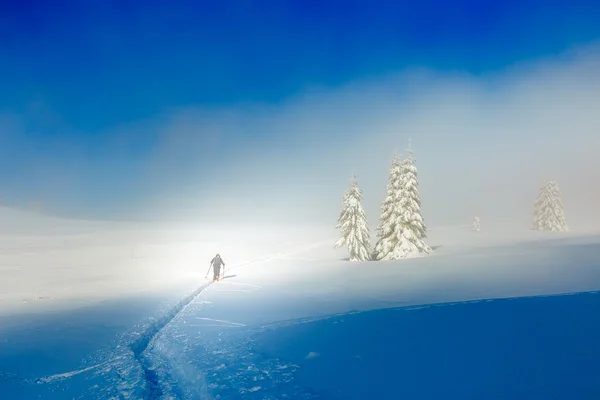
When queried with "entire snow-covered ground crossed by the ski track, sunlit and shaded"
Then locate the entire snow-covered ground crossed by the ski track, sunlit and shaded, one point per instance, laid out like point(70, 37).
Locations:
point(292, 311)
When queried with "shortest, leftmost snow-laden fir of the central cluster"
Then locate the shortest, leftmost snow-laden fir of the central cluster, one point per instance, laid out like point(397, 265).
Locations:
point(353, 225)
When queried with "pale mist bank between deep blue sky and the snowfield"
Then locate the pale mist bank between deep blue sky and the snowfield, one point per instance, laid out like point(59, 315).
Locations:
point(483, 146)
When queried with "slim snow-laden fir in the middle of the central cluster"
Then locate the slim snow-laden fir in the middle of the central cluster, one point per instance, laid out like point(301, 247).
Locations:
point(388, 230)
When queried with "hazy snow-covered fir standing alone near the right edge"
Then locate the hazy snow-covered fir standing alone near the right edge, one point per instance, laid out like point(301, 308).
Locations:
point(548, 213)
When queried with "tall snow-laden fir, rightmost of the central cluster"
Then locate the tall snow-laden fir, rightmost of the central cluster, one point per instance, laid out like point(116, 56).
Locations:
point(413, 230)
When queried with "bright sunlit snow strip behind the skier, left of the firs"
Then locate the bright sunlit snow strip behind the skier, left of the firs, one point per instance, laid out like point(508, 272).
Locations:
point(46, 261)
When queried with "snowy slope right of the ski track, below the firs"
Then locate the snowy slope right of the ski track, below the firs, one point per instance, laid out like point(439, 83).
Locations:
point(265, 334)
